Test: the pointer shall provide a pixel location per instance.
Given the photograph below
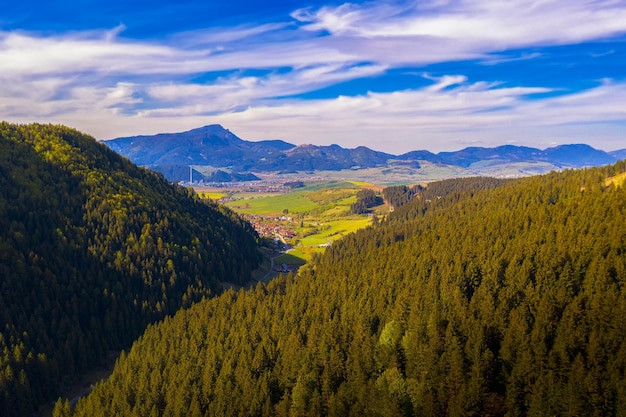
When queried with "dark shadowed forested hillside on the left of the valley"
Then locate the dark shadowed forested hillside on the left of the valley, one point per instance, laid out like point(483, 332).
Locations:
point(92, 249)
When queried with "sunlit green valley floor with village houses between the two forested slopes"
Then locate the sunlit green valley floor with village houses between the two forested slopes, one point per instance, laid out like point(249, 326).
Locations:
point(298, 222)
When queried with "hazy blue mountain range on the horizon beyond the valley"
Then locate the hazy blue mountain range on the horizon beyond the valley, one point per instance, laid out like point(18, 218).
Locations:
point(226, 157)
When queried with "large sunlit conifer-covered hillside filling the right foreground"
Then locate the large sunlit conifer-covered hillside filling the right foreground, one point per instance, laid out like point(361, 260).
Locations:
point(508, 300)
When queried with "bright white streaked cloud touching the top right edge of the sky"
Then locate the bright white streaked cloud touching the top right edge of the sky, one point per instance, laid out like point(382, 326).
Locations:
point(478, 23)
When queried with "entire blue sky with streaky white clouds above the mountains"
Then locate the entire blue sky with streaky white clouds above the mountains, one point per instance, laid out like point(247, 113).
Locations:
point(394, 76)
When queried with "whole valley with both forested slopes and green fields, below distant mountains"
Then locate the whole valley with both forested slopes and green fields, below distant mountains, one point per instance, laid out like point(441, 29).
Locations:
point(305, 294)
